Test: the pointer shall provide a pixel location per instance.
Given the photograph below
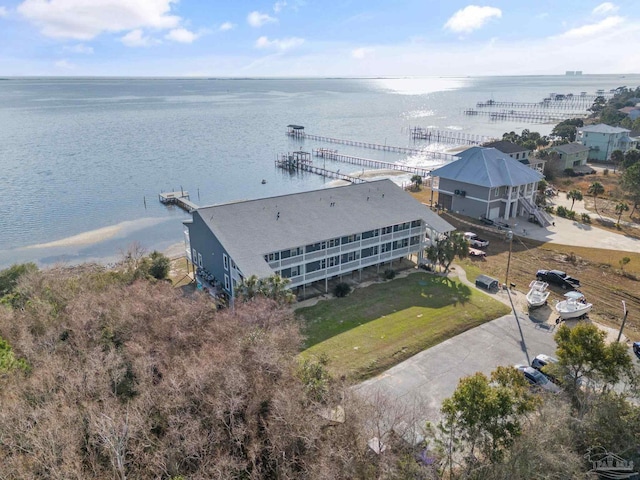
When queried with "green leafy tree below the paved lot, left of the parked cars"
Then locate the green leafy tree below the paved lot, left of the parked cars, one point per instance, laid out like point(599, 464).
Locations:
point(484, 415)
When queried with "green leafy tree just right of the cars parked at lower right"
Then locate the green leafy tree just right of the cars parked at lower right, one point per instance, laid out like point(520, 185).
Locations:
point(587, 360)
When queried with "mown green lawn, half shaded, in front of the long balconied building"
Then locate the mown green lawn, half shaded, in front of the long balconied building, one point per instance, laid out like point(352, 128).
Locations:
point(381, 325)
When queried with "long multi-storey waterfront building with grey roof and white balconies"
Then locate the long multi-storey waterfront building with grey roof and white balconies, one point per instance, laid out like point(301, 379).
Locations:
point(308, 237)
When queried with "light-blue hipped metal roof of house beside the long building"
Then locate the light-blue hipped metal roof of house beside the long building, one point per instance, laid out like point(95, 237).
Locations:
point(487, 167)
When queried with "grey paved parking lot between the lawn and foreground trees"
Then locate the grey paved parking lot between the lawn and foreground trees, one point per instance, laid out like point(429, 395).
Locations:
point(429, 377)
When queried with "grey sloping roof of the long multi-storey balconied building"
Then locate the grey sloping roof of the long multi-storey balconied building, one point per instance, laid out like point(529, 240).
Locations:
point(250, 229)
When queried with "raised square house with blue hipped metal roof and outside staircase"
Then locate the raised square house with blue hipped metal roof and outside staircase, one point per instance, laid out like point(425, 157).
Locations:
point(485, 182)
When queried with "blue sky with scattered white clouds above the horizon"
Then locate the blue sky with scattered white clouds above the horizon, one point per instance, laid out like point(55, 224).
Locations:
point(317, 38)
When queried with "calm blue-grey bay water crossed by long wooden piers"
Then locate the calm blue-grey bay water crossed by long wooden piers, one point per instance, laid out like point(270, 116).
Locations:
point(82, 160)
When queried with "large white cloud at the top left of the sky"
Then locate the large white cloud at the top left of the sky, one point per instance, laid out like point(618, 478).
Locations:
point(85, 19)
